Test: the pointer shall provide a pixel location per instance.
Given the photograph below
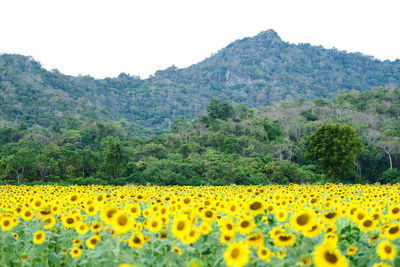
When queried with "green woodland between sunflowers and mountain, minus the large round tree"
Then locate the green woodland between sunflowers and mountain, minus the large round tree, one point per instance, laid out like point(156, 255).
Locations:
point(227, 145)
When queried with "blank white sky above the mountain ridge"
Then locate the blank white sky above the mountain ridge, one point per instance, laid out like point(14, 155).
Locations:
point(104, 38)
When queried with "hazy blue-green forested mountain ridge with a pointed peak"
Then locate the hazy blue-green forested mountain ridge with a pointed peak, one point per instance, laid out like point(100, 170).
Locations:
point(254, 71)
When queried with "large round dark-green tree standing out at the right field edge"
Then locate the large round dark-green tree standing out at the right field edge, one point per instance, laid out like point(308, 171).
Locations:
point(335, 148)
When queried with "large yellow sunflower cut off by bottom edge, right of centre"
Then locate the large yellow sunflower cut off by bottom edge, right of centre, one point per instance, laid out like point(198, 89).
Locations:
point(326, 255)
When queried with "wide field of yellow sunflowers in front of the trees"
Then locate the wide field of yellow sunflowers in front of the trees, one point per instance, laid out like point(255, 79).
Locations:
point(293, 225)
